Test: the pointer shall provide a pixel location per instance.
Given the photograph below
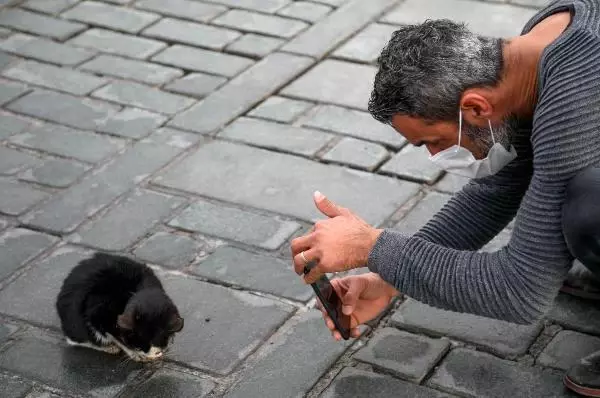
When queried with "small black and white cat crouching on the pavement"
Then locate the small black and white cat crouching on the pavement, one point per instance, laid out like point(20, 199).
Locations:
point(112, 303)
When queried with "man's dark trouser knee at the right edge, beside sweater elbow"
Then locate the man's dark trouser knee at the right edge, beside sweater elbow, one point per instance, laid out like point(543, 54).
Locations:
point(581, 218)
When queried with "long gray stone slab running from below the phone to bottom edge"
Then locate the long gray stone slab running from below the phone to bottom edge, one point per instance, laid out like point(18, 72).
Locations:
point(293, 361)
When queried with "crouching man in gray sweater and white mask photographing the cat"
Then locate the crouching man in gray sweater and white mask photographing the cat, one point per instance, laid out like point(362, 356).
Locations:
point(521, 117)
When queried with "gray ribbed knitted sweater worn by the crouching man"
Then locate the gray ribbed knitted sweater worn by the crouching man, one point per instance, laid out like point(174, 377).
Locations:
point(440, 265)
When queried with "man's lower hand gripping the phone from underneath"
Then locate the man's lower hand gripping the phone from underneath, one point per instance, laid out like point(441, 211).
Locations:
point(364, 297)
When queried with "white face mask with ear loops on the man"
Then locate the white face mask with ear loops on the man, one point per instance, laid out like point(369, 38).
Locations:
point(459, 160)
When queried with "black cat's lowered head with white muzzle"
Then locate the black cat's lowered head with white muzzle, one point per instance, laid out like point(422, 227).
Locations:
point(148, 323)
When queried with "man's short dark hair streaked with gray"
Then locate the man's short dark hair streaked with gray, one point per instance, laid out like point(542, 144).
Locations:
point(425, 69)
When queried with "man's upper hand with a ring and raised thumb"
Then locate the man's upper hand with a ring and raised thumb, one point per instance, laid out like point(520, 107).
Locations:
point(340, 243)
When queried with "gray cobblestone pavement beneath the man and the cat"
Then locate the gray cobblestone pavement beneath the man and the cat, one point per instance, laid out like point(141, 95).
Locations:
point(191, 134)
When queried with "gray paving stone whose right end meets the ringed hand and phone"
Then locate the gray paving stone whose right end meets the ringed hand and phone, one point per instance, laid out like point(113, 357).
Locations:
point(254, 272)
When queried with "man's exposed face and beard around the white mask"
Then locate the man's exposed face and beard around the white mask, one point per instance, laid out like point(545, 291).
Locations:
point(438, 136)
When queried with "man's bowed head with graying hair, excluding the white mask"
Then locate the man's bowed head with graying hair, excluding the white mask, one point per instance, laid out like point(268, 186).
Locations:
point(427, 73)
